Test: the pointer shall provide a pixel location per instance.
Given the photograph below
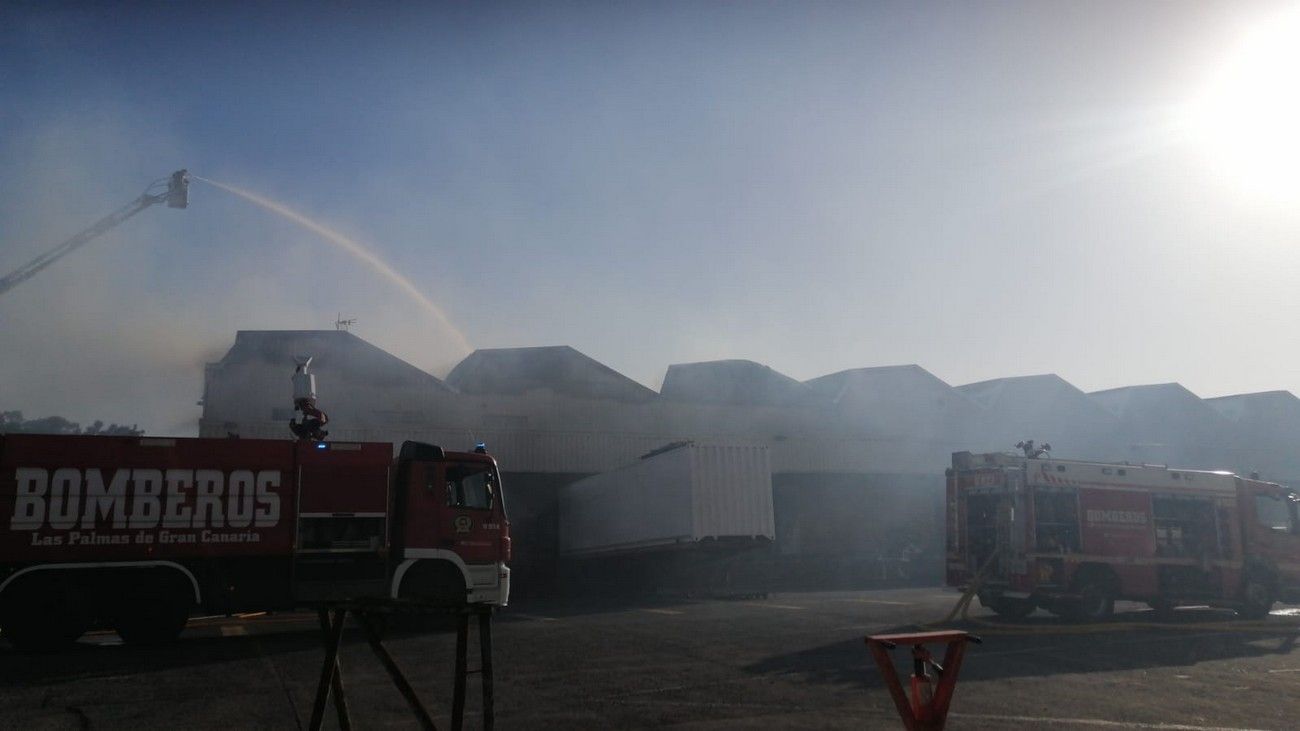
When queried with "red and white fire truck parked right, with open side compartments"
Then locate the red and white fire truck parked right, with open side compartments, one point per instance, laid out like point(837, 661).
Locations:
point(1073, 537)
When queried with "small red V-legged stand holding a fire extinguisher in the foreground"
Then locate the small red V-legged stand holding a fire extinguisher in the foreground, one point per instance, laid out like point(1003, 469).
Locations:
point(928, 708)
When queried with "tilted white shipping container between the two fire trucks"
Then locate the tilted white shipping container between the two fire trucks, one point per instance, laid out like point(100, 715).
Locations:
point(682, 495)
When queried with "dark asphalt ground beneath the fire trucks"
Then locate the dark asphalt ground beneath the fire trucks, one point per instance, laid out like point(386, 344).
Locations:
point(790, 661)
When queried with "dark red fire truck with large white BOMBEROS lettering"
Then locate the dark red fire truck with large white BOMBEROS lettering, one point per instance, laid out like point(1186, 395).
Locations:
point(137, 534)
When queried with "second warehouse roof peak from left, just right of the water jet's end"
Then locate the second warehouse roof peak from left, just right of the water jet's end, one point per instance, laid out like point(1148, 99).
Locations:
point(514, 371)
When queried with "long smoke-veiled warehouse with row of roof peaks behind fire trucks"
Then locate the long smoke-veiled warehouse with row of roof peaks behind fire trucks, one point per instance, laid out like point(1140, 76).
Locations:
point(857, 457)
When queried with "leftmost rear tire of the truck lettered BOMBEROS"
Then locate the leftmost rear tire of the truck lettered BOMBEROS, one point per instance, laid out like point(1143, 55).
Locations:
point(44, 613)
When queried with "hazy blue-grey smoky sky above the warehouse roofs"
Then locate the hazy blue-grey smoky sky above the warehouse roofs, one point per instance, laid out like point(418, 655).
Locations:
point(983, 189)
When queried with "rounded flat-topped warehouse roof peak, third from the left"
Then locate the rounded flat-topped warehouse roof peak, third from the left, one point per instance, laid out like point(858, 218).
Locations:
point(733, 382)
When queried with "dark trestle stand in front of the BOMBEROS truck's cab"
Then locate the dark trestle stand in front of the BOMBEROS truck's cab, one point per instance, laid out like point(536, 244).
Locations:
point(332, 676)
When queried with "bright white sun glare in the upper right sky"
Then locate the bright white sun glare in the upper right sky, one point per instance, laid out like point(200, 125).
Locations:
point(1249, 118)
